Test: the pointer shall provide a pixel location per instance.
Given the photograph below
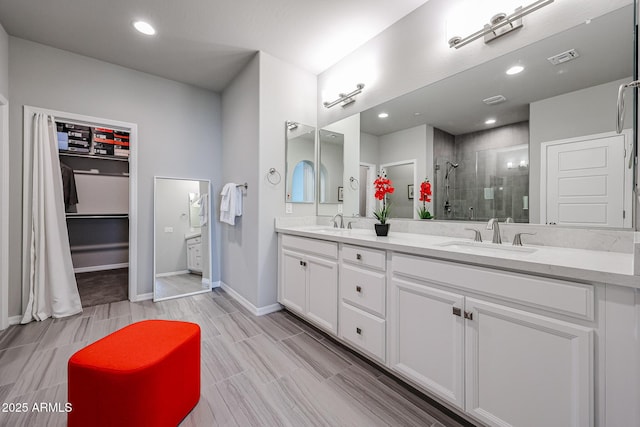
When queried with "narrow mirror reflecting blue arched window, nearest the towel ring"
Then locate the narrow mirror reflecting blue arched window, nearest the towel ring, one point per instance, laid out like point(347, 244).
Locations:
point(300, 163)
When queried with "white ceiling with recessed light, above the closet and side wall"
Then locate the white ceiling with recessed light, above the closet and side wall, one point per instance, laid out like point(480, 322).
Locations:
point(204, 42)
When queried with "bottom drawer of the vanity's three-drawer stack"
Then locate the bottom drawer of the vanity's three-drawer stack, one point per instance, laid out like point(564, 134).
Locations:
point(365, 331)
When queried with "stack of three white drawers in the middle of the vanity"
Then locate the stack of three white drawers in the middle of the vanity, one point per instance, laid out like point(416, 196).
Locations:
point(362, 299)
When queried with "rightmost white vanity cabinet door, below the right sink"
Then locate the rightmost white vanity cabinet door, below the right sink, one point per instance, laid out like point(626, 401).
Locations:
point(524, 370)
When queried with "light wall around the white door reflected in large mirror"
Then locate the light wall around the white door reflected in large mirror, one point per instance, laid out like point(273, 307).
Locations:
point(583, 112)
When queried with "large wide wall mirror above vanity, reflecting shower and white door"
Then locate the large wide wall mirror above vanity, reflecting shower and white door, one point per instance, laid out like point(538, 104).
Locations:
point(535, 143)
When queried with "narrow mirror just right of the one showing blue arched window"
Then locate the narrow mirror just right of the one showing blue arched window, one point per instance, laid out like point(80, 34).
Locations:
point(331, 172)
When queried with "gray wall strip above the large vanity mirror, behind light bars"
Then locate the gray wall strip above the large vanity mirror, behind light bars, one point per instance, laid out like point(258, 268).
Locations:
point(413, 52)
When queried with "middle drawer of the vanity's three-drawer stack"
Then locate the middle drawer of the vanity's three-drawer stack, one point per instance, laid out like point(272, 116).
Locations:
point(364, 288)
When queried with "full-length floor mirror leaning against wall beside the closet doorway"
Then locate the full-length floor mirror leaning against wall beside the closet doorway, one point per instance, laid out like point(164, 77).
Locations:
point(182, 247)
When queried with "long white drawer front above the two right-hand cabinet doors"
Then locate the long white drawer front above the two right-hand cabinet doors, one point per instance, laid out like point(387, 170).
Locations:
point(569, 298)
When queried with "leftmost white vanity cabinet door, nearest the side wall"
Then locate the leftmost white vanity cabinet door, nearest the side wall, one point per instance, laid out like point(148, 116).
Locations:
point(294, 280)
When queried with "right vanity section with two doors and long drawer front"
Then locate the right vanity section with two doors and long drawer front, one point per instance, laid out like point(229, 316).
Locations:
point(465, 334)
